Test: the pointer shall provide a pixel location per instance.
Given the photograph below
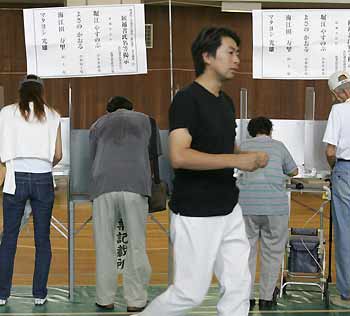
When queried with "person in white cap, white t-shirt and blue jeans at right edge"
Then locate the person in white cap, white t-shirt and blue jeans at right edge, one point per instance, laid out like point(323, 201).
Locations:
point(337, 137)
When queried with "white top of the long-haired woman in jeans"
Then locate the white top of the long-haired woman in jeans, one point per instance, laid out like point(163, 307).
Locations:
point(26, 145)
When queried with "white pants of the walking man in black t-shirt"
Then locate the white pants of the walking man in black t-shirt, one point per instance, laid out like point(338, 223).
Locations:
point(203, 245)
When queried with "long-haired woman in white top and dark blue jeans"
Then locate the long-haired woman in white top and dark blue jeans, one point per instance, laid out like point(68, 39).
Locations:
point(30, 145)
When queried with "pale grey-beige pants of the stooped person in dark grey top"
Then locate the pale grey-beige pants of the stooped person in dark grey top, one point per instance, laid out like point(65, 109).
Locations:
point(108, 208)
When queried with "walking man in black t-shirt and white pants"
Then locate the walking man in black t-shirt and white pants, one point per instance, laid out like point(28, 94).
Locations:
point(207, 227)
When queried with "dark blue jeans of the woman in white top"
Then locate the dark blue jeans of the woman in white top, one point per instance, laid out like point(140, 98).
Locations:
point(38, 189)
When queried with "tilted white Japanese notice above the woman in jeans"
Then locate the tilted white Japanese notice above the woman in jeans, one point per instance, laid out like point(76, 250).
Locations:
point(85, 41)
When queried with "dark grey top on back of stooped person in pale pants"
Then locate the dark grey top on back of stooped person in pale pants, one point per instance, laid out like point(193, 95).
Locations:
point(119, 153)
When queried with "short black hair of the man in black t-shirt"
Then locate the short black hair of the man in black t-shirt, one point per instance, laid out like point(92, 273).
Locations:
point(208, 41)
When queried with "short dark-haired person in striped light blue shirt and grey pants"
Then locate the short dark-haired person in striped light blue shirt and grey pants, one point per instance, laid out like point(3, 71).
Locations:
point(265, 208)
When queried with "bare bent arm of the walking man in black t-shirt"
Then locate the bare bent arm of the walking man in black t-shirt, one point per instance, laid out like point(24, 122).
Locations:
point(184, 157)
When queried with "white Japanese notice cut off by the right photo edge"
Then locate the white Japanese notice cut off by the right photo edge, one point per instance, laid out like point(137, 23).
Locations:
point(300, 44)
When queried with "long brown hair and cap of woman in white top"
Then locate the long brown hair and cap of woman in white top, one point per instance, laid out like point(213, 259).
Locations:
point(31, 89)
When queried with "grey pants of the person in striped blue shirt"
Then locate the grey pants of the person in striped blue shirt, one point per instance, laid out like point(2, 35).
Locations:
point(272, 231)
